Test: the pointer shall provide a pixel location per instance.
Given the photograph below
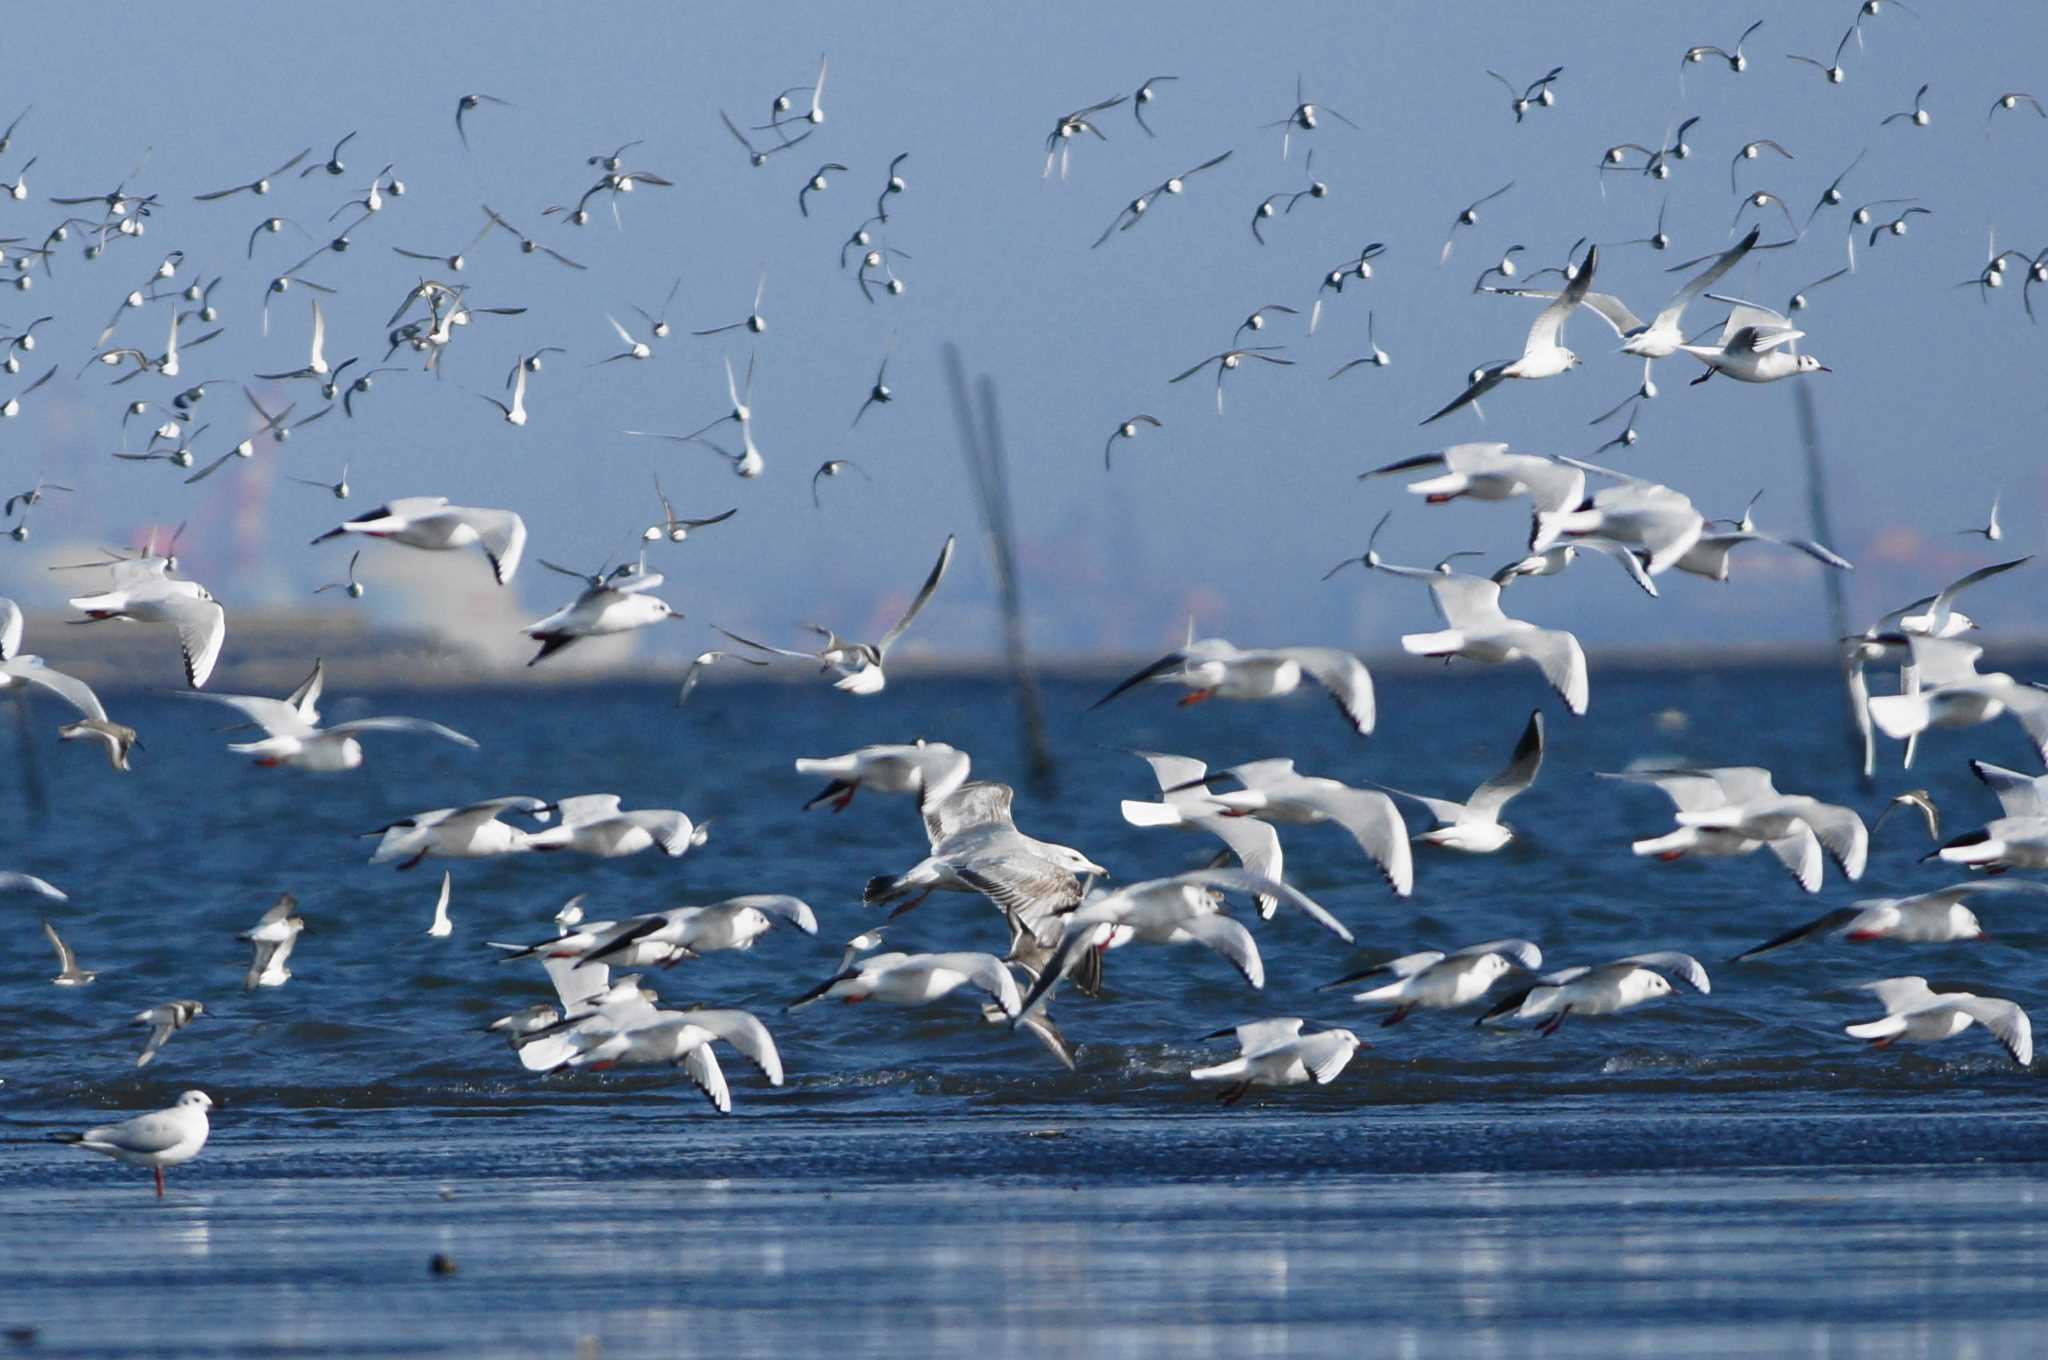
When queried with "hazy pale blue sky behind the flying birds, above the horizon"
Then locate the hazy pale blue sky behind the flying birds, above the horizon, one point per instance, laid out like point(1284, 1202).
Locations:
point(1934, 402)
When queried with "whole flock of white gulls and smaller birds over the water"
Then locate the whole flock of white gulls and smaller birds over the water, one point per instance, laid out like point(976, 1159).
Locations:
point(1064, 912)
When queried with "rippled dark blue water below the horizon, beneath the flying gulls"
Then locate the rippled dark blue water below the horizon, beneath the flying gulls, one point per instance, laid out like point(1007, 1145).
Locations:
point(1711, 1175)
